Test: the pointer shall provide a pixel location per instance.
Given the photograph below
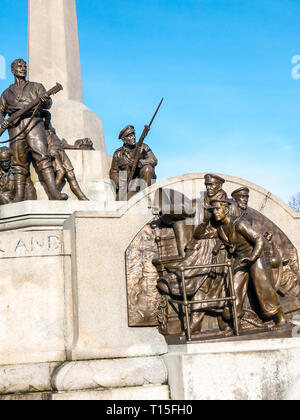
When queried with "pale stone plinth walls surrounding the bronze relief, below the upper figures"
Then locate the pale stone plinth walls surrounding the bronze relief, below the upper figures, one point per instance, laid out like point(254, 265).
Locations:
point(64, 311)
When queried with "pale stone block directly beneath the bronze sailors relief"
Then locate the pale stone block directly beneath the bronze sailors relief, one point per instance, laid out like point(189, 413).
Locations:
point(251, 370)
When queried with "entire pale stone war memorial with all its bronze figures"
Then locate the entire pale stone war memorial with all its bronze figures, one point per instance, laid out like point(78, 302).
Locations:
point(116, 286)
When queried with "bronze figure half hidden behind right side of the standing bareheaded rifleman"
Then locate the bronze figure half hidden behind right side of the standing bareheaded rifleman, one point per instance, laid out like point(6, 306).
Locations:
point(62, 165)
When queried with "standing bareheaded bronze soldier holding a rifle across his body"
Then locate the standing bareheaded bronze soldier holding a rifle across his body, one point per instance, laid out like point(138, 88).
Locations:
point(28, 134)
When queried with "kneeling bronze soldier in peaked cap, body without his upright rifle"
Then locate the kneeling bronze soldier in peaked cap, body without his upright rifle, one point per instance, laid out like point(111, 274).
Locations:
point(123, 160)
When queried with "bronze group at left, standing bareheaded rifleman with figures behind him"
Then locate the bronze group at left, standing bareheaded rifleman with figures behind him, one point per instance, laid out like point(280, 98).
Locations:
point(32, 138)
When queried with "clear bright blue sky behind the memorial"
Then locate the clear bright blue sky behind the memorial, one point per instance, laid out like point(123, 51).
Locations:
point(224, 68)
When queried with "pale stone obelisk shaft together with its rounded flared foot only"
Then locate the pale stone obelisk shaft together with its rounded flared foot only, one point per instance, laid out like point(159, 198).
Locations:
point(53, 56)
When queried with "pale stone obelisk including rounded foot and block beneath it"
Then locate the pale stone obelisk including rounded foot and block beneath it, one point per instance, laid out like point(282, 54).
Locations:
point(53, 56)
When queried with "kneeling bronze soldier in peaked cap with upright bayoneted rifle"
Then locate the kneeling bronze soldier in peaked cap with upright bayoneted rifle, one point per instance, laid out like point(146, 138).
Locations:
point(133, 161)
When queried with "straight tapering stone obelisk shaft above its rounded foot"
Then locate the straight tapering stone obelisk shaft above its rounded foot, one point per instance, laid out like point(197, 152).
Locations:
point(53, 49)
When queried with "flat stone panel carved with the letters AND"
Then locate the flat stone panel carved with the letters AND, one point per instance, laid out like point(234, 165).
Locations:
point(32, 296)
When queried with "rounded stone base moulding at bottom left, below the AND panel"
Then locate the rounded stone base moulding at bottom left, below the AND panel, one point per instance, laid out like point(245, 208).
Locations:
point(127, 378)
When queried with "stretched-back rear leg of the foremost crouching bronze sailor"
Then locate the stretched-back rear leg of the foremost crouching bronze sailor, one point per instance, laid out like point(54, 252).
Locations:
point(266, 294)
